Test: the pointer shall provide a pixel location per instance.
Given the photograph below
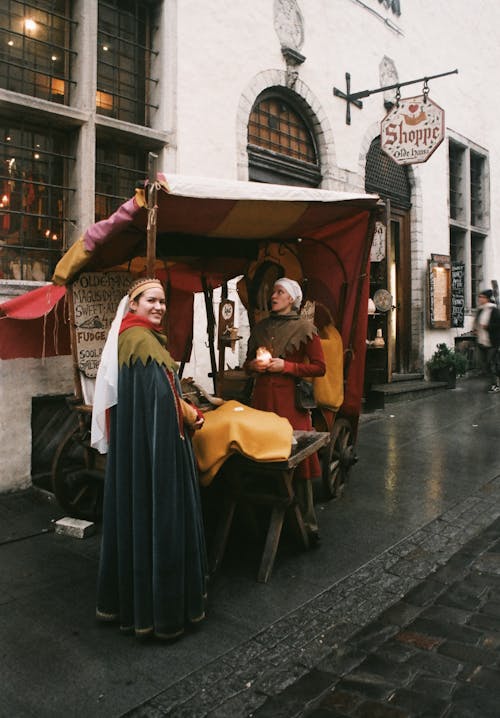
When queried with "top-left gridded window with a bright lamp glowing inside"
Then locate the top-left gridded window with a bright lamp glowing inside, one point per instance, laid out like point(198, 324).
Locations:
point(35, 48)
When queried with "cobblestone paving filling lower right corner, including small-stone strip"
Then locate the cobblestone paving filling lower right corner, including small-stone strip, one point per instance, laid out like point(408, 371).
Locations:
point(435, 652)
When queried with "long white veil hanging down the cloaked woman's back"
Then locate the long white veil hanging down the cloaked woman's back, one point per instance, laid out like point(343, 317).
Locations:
point(106, 383)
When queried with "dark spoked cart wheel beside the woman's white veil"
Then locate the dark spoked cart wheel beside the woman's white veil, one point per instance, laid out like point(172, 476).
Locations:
point(78, 477)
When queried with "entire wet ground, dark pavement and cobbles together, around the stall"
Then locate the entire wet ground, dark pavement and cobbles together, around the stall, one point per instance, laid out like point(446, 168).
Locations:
point(337, 631)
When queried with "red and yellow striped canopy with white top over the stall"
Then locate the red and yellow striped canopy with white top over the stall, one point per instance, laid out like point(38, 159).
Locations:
point(209, 230)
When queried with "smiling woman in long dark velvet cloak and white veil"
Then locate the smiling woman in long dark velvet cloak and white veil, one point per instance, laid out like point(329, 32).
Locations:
point(152, 570)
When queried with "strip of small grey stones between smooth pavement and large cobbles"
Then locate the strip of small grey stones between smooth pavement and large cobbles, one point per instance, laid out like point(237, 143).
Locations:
point(287, 653)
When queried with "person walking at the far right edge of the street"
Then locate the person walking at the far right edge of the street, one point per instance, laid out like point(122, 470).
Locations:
point(487, 330)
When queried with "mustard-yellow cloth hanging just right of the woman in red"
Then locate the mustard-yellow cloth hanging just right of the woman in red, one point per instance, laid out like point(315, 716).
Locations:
point(329, 389)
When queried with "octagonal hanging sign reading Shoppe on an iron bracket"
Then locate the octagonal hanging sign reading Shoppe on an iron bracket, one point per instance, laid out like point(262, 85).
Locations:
point(412, 130)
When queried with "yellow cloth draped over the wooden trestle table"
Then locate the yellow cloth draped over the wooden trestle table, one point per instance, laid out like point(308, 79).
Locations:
point(234, 427)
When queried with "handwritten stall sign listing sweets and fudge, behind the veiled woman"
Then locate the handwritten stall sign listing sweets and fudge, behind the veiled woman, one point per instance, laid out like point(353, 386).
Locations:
point(96, 296)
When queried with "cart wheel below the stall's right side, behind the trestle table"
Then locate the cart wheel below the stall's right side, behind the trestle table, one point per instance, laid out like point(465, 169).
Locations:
point(338, 458)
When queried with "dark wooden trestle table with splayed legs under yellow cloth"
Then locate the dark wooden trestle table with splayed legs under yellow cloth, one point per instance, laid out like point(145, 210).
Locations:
point(270, 484)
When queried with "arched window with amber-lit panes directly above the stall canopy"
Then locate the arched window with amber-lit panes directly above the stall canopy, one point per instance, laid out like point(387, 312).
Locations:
point(281, 145)
